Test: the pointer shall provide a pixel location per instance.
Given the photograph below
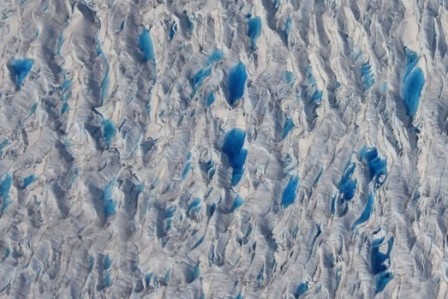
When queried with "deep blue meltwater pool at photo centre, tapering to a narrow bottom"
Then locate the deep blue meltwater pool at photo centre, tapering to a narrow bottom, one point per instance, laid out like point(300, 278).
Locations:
point(233, 148)
